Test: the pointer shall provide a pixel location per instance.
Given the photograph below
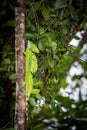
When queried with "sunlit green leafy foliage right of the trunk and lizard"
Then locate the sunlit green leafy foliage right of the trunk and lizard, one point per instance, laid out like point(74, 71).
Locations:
point(51, 27)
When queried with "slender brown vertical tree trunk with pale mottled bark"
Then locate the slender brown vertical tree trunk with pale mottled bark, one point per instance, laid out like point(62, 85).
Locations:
point(20, 108)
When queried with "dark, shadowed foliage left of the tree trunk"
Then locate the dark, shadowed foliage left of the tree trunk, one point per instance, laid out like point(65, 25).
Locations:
point(7, 64)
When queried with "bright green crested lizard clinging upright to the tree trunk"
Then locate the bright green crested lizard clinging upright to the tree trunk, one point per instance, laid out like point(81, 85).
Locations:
point(30, 68)
